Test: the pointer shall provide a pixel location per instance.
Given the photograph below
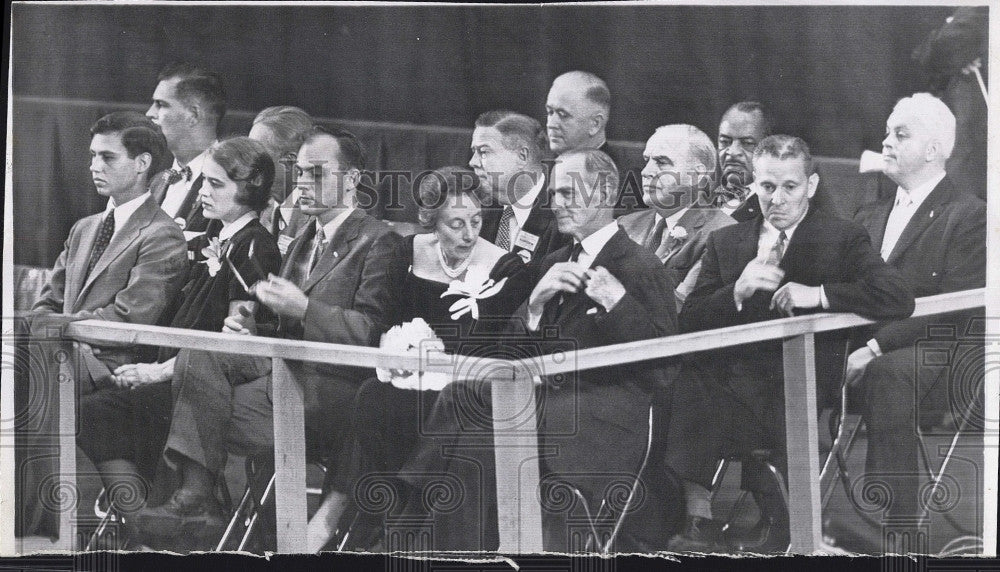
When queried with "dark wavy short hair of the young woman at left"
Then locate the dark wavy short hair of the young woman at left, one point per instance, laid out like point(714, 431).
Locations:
point(246, 160)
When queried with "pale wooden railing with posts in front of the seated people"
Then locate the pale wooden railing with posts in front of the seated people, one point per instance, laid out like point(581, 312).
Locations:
point(513, 403)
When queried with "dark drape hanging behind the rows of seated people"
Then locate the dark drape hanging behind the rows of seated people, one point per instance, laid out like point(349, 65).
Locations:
point(830, 74)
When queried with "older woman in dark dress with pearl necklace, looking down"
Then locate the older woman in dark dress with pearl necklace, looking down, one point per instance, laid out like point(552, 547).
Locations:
point(426, 268)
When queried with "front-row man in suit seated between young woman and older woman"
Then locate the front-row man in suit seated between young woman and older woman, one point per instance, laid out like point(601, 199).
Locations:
point(223, 402)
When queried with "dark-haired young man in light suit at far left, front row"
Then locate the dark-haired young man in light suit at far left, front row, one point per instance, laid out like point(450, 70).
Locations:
point(125, 264)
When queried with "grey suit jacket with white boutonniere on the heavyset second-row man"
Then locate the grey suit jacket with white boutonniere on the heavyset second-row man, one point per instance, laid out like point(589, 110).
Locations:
point(683, 255)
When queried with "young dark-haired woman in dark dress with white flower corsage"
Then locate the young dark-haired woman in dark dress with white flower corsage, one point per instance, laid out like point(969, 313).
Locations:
point(123, 430)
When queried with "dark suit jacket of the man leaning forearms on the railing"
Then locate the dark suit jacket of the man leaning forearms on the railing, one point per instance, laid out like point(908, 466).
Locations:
point(824, 250)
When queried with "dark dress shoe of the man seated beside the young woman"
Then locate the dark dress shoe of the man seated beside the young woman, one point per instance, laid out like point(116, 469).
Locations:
point(187, 522)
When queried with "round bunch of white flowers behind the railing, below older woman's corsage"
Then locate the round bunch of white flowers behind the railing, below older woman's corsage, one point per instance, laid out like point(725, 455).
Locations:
point(414, 337)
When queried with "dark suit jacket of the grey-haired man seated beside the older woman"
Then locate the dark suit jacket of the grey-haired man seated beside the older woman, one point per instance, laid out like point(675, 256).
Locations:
point(598, 418)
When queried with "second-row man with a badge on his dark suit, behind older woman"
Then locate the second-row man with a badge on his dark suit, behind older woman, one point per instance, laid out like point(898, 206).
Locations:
point(507, 153)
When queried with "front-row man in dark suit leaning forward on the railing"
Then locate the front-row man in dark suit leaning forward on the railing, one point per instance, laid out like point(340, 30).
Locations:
point(795, 259)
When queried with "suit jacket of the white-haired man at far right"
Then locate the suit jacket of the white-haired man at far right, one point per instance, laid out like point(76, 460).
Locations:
point(942, 249)
